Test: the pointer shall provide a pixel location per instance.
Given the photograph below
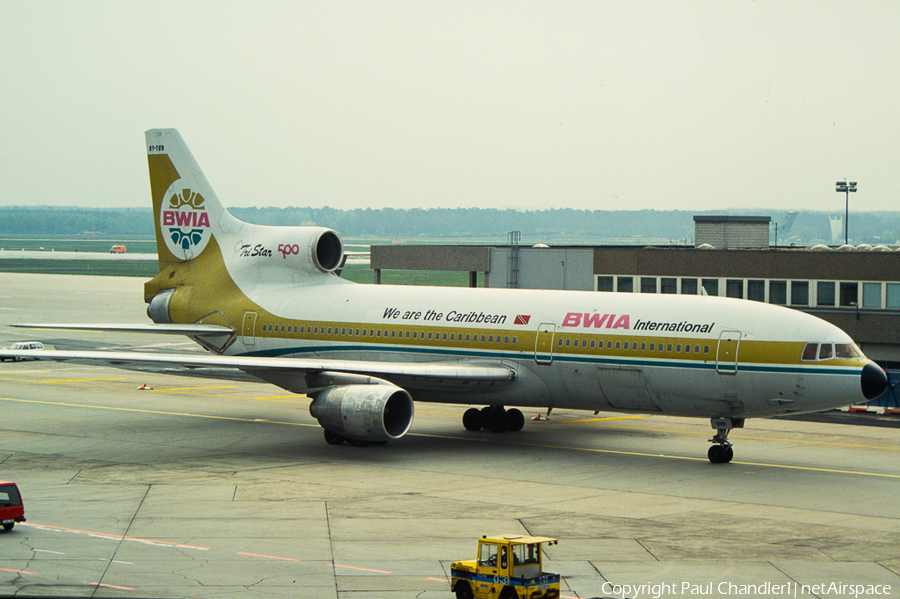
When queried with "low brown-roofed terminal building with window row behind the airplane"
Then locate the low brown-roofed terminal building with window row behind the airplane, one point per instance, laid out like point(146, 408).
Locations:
point(855, 288)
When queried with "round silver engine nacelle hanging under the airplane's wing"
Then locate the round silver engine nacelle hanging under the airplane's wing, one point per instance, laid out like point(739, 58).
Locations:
point(364, 412)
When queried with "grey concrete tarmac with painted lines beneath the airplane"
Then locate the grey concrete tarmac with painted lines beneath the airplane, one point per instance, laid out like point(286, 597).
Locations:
point(196, 487)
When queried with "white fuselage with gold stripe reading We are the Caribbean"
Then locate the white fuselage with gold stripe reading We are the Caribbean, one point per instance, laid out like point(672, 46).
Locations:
point(570, 349)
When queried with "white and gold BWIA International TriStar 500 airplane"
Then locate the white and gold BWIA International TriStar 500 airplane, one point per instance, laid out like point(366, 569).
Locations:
point(265, 300)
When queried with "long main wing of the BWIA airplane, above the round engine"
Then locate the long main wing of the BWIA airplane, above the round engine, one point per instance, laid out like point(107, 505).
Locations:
point(303, 375)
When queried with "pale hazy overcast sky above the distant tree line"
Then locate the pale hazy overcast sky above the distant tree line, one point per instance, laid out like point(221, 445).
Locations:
point(592, 105)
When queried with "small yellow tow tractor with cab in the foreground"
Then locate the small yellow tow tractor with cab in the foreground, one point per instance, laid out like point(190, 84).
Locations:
point(507, 567)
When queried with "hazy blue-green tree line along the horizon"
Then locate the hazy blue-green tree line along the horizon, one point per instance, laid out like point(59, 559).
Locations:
point(557, 225)
